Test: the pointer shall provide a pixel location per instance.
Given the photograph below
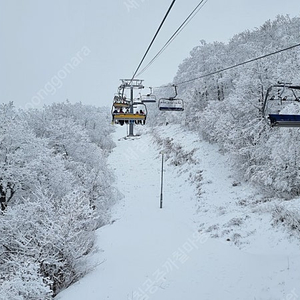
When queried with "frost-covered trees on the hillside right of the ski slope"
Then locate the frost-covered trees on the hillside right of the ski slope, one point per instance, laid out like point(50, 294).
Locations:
point(226, 108)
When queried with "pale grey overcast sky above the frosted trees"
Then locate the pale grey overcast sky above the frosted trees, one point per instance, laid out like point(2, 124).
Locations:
point(79, 49)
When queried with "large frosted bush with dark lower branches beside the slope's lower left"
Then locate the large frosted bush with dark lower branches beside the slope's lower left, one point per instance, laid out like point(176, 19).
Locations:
point(53, 233)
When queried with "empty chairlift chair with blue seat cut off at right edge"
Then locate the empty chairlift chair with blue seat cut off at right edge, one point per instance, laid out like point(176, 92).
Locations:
point(279, 97)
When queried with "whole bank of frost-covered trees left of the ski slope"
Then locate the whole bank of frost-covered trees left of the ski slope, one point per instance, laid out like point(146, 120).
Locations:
point(55, 191)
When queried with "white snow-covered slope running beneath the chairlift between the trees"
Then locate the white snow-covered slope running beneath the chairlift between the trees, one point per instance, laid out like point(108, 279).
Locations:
point(212, 240)
